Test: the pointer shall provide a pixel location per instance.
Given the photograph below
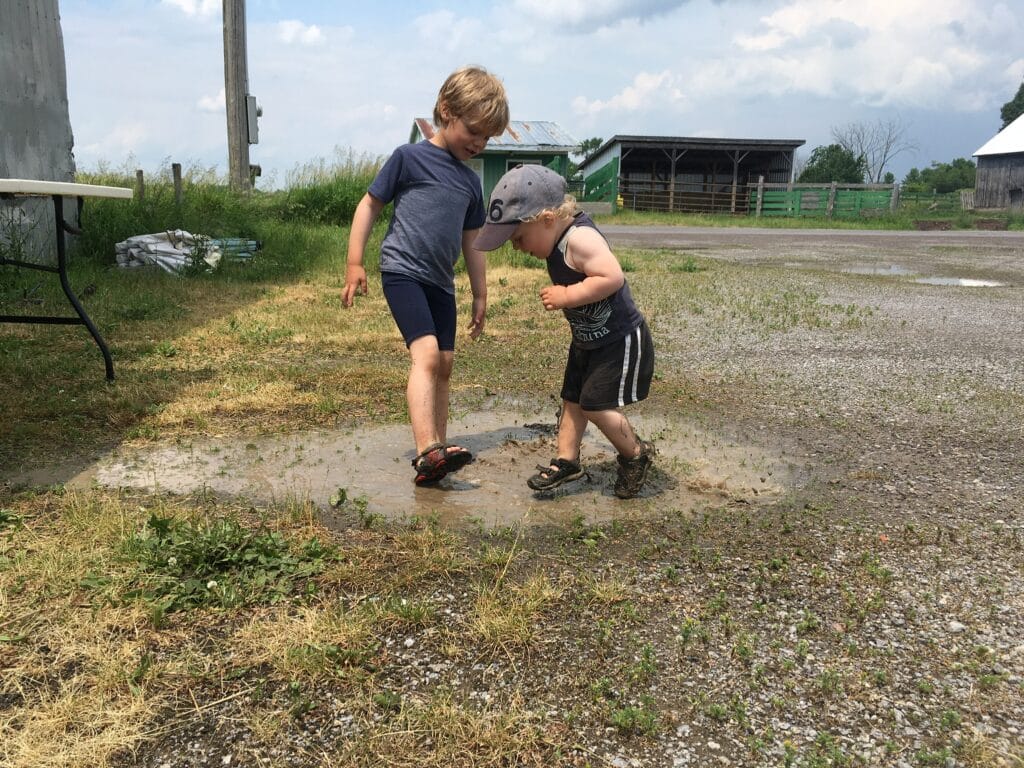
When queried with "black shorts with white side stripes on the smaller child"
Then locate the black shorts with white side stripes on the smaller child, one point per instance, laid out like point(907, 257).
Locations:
point(613, 376)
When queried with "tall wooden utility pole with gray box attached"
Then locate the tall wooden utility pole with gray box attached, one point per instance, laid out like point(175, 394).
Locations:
point(237, 96)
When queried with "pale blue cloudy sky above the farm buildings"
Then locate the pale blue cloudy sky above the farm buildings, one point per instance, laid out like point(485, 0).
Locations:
point(343, 81)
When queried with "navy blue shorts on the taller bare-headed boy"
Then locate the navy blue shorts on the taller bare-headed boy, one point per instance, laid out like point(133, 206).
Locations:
point(420, 310)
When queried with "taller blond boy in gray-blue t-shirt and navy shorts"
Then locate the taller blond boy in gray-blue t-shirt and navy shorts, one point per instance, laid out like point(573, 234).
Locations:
point(439, 209)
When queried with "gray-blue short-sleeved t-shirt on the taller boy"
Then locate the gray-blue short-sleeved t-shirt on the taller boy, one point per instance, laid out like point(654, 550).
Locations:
point(437, 198)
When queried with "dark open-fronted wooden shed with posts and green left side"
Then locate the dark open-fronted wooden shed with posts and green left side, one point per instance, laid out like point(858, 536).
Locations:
point(694, 175)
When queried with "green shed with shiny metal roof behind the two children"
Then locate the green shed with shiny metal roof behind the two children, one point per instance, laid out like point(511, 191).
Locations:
point(523, 143)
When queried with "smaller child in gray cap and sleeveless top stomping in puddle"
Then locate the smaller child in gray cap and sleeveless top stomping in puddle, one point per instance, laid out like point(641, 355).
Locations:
point(612, 357)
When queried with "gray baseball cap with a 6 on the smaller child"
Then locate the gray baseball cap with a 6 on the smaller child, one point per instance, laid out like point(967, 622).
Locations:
point(524, 192)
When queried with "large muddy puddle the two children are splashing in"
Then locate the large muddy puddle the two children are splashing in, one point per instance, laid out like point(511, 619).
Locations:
point(694, 468)
